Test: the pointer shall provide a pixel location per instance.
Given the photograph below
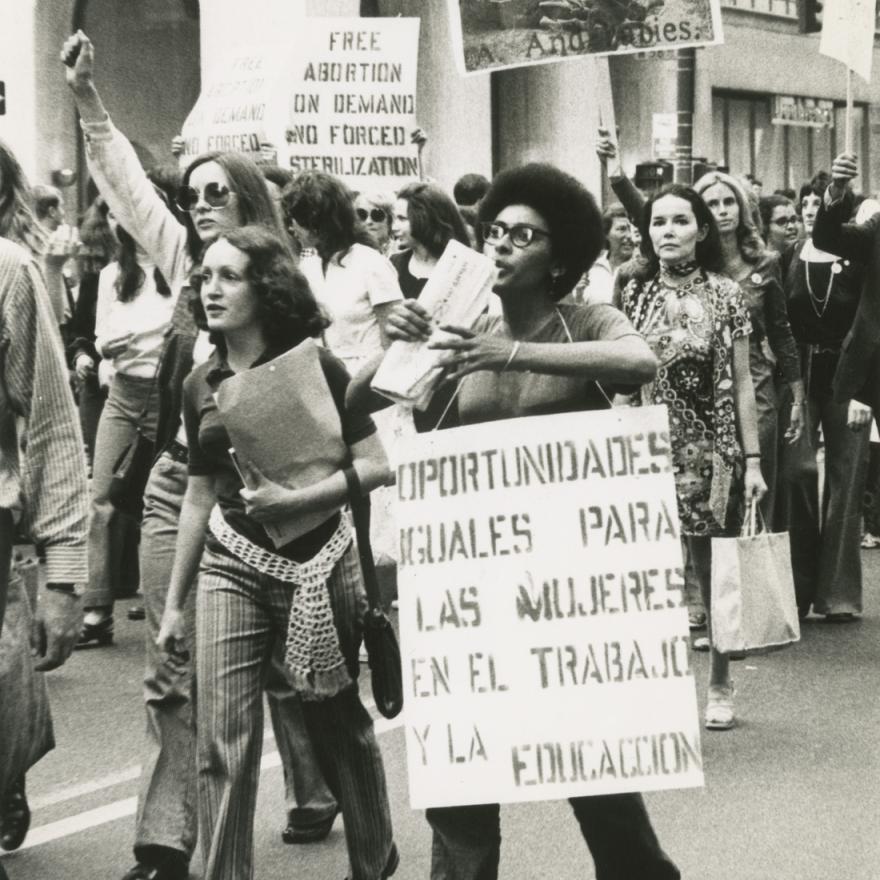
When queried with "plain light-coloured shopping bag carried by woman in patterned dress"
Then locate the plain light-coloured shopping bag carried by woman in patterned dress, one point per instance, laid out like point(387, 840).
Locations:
point(753, 600)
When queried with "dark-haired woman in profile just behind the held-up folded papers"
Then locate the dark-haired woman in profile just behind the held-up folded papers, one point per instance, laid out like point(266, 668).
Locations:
point(425, 221)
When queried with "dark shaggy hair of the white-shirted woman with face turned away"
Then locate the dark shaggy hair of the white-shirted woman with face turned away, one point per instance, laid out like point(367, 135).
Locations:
point(324, 205)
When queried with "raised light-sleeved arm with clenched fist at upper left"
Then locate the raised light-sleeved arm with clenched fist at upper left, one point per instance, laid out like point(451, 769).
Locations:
point(117, 172)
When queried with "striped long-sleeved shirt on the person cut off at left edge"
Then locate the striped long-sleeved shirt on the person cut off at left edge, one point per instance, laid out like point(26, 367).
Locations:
point(42, 465)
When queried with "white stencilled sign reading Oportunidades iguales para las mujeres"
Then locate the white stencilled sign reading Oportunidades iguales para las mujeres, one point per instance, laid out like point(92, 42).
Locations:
point(543, 627)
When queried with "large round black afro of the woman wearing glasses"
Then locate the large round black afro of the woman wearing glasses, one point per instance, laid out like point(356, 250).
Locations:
point(566, 206)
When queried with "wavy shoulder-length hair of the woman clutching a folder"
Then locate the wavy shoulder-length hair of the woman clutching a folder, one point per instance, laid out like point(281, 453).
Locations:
point(287, 309)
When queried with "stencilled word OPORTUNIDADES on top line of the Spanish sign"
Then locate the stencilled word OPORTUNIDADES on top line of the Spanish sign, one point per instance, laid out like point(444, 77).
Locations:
point(562, 461)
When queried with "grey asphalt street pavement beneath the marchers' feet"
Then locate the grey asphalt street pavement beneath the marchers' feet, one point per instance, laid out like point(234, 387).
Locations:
point(791, 793)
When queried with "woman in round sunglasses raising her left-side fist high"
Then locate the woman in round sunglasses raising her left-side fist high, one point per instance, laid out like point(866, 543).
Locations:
point(221, 191)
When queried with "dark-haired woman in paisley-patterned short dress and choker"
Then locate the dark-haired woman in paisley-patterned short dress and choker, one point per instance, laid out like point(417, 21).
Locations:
point(697, 323)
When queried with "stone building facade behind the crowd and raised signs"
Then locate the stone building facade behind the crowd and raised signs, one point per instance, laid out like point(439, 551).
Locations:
point(767, 104)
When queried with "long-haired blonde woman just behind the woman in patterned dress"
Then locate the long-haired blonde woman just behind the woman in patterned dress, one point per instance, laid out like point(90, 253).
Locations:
point(756, 270)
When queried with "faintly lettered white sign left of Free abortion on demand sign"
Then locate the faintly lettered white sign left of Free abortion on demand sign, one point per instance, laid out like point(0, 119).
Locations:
point(240, 108)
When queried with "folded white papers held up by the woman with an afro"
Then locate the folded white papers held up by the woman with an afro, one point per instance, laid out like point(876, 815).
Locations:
point(456, 293)
